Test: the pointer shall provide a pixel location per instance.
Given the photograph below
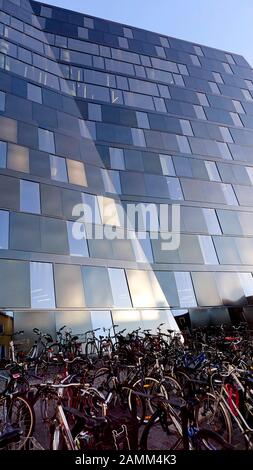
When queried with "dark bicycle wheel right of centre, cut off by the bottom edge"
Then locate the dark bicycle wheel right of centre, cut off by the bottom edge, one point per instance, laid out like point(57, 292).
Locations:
point(162, 432)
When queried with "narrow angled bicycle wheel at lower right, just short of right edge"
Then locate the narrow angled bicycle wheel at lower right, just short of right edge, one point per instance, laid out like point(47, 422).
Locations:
point(212, 415)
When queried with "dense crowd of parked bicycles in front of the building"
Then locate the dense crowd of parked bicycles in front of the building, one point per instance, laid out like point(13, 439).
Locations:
point(131, 391)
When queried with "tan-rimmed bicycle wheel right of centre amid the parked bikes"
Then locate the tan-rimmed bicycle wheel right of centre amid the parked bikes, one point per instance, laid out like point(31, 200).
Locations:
point(150, 387)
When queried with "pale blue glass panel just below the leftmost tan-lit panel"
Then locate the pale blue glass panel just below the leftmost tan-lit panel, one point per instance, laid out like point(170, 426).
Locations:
point(29, 197)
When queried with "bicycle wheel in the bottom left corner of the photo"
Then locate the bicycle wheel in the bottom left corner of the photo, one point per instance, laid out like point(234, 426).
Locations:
point(17, 413)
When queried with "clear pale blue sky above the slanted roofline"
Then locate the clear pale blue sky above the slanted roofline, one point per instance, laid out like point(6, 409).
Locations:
point(225, 24)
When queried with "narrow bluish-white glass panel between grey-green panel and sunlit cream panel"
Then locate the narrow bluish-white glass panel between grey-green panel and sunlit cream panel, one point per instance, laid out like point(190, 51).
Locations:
point(120, 292)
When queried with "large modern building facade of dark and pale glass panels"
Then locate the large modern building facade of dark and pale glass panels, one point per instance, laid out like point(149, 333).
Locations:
point(110, 115)
